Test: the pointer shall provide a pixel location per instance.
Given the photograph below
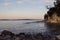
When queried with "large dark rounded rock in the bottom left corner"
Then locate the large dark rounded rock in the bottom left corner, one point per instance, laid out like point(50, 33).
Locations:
point(7, 35)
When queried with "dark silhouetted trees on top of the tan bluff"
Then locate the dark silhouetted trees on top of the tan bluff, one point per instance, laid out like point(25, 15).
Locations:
point(55, 9)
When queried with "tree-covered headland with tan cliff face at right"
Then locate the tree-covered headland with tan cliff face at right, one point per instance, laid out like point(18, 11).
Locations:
point(53, 14)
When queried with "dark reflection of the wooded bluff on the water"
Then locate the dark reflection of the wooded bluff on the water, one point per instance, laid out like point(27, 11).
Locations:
point(53, 28)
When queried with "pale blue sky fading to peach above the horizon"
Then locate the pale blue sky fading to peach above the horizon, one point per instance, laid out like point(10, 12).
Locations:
point(24, 9)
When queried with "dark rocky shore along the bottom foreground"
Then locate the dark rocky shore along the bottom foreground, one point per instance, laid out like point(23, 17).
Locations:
point(7, 35)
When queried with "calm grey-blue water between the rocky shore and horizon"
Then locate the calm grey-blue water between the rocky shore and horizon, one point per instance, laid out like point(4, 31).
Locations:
point(30, 26)
